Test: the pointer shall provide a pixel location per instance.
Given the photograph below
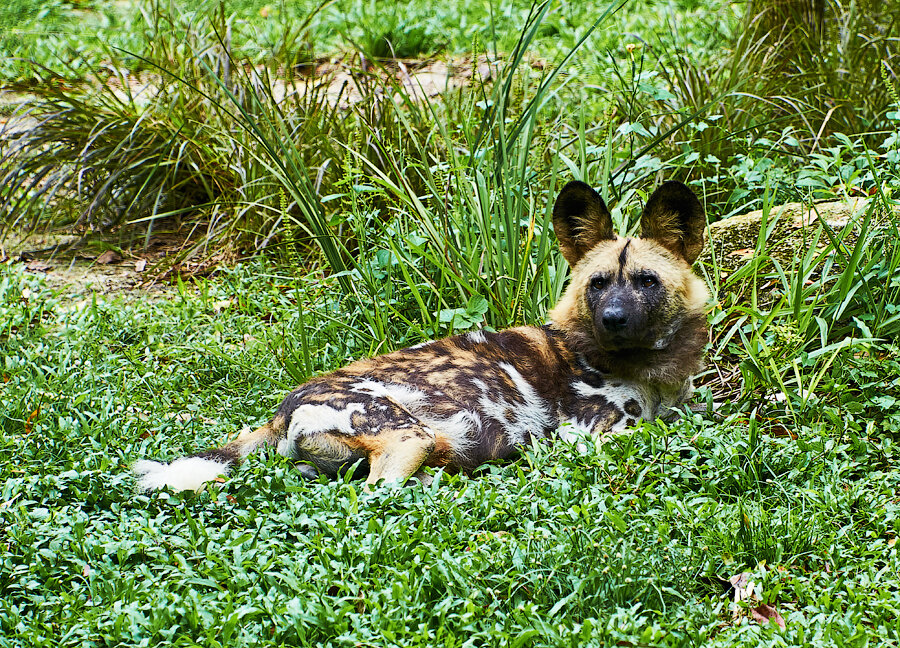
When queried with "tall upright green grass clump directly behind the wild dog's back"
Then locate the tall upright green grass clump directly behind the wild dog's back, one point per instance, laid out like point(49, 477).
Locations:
point(467, 233)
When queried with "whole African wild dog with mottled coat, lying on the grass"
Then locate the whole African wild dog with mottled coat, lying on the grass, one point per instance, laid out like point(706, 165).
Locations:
point(622, 344)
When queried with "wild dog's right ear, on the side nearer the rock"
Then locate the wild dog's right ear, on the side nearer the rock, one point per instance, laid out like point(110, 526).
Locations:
point(675, 218)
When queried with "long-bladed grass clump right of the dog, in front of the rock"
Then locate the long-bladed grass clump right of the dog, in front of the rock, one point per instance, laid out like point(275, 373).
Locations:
point(795, 326)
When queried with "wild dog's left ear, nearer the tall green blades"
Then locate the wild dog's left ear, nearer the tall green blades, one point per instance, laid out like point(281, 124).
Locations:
point(581, 220)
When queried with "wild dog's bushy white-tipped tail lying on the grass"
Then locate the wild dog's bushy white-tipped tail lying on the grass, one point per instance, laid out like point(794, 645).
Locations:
point(191, 473)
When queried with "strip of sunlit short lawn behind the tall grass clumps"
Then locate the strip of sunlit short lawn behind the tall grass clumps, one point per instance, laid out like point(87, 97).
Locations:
point(73, 36)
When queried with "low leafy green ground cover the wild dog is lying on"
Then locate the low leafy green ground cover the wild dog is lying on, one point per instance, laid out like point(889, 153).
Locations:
point(622, 544)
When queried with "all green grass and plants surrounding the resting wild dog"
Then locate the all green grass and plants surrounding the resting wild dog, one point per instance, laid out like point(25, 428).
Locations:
point(387, 222)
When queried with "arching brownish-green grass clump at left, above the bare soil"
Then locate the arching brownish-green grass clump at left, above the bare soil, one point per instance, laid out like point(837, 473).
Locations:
point(162, 145)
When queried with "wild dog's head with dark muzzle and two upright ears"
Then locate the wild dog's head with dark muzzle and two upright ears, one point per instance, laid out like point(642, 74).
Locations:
point(630, 294)
